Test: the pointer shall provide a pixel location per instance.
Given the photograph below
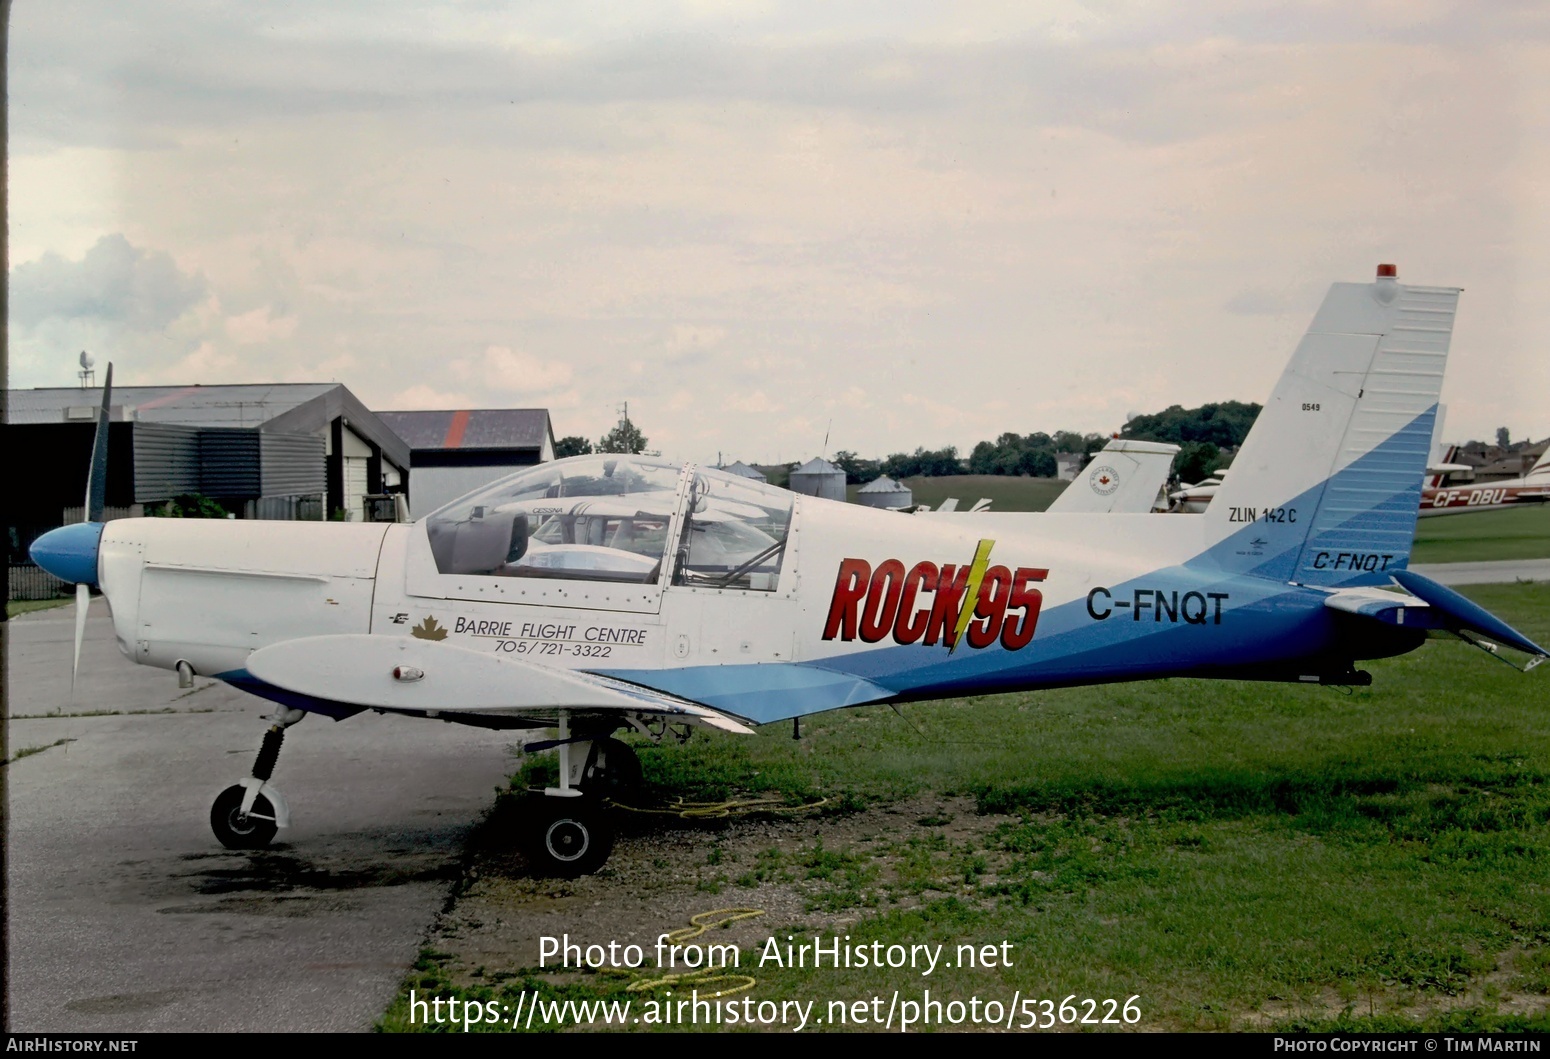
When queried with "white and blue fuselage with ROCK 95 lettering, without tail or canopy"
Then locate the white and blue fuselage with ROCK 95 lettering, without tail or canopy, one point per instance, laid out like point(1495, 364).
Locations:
point(867, 607)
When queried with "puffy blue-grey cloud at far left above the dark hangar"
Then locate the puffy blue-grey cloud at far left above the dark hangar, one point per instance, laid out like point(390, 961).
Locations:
point(115, 283)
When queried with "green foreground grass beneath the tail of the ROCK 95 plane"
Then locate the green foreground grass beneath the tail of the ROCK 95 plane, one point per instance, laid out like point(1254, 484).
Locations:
point(1233, 855)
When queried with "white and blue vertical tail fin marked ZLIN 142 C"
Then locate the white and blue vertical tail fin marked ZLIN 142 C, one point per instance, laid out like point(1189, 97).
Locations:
point(1328, 486)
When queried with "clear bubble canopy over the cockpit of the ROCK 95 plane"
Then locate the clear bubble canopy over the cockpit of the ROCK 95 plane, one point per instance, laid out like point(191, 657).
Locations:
point(613, 519)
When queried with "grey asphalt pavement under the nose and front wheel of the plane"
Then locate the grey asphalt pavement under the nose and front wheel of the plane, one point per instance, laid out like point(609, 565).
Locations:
point(123, 911)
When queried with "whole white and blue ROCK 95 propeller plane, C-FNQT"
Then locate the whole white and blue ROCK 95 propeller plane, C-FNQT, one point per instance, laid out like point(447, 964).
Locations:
point(608, 593)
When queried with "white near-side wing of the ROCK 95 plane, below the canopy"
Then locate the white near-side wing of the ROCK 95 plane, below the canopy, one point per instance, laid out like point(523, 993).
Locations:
point(404, 674)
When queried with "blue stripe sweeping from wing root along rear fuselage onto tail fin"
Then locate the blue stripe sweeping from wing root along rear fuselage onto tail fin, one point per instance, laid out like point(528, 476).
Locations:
point(1264, 619)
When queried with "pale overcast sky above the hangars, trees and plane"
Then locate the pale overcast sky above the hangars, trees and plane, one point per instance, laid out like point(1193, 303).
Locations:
point(929, 224)
